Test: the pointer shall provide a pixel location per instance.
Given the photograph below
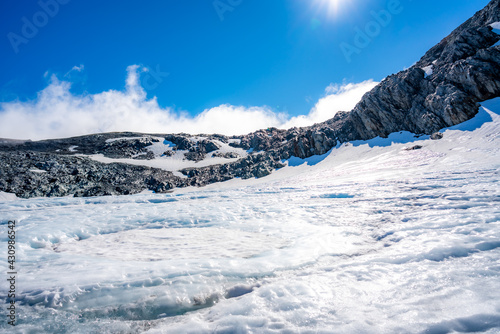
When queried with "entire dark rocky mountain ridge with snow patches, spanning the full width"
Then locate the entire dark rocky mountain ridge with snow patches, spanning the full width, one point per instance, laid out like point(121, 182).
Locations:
point(441, 90)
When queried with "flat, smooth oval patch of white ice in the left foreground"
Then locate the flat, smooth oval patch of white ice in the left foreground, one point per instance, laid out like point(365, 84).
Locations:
point(173, 244)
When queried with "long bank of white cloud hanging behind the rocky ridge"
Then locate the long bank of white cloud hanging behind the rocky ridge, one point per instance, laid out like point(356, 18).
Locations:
point(57, 113)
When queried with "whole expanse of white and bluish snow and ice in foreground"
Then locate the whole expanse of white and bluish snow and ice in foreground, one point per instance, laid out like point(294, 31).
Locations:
point(370, 238)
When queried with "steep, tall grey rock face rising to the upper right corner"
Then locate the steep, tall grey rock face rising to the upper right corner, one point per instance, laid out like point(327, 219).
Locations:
point(465, 70)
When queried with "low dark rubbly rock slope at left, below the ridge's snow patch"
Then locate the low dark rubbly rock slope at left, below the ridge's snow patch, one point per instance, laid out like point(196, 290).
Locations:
point(34, 174)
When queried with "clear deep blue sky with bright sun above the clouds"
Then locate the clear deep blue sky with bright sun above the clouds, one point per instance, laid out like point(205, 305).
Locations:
point(276, 53)
